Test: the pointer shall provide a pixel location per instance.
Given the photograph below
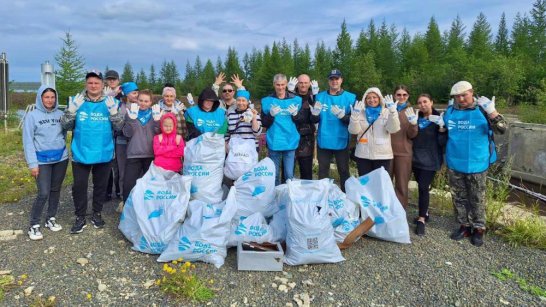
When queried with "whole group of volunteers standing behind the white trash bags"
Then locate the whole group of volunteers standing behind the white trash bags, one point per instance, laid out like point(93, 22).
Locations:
point(118, 131)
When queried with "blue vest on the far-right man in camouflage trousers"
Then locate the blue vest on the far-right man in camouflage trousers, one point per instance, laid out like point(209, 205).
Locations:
point(470, 148)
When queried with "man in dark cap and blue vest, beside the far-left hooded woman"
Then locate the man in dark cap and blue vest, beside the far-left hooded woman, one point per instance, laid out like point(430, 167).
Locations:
point(92, 116)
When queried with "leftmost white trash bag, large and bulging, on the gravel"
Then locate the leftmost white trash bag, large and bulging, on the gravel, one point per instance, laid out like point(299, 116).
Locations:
point(155, 208)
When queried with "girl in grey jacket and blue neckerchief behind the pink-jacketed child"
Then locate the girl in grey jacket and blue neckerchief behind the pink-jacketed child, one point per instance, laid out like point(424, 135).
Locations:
point(142, 123)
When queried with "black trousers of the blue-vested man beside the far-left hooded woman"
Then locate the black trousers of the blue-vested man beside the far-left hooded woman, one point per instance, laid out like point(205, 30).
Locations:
point(100, 173)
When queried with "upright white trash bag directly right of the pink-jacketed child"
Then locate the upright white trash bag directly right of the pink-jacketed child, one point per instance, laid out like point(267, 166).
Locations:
point(204, 161)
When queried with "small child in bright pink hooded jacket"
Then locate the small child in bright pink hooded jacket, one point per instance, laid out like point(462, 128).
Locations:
point(169, 146)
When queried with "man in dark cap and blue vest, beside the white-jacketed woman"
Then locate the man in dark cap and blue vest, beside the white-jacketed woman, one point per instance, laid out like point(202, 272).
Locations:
point(332, 112)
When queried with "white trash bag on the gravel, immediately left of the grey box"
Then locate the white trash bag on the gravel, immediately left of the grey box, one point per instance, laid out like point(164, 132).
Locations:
point(204, 234)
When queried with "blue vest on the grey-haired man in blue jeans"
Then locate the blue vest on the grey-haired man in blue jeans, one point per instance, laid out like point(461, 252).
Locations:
point(283, 134)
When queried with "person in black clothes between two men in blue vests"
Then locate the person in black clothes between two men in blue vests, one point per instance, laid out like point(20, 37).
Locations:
point(307, 90)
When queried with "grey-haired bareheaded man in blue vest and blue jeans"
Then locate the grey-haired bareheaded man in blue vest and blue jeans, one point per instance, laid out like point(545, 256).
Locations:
point(278, 112)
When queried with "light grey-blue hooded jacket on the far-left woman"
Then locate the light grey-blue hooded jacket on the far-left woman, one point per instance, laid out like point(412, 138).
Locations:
point(44, 140)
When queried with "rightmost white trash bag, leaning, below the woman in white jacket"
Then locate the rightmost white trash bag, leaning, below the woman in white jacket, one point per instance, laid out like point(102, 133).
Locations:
point(376, 197)
